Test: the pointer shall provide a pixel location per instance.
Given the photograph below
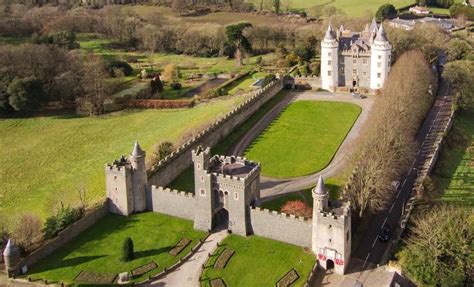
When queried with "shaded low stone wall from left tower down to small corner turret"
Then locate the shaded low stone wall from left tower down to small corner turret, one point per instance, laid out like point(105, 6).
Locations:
point(65, 236)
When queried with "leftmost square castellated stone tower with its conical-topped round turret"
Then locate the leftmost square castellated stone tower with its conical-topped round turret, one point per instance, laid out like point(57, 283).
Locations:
point(126, 183)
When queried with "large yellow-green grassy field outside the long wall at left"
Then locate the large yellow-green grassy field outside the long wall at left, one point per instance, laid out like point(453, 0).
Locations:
point(47, 159)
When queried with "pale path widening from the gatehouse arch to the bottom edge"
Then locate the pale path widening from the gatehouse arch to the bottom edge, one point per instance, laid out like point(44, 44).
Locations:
point(187, 275)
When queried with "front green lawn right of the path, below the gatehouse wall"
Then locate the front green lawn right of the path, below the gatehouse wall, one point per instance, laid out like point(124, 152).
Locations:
point(259, 262)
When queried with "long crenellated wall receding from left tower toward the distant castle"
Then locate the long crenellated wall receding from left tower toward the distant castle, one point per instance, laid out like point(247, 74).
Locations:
point(171, 166)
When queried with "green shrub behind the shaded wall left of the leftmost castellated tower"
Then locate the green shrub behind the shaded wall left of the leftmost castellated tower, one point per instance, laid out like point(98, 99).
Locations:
point(62, 219)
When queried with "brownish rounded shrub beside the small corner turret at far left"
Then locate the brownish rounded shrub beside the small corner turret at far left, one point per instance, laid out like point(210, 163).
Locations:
point(27, 232)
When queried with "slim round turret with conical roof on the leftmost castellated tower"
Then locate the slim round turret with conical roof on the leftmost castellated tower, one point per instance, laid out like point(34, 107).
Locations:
point(139, 178)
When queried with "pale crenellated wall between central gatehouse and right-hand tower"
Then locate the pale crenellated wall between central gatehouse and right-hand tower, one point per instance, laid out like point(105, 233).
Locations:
point(281, 227)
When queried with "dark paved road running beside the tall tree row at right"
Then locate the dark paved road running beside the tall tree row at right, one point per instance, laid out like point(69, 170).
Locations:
point(371, 250)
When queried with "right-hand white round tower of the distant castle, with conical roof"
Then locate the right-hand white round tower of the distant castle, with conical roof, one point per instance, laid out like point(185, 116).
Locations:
point(381, 51)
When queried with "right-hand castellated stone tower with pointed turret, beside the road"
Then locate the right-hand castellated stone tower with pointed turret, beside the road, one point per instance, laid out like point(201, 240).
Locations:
point(331, 238)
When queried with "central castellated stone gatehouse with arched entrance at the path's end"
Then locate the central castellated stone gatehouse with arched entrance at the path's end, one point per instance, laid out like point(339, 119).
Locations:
point(225, 188)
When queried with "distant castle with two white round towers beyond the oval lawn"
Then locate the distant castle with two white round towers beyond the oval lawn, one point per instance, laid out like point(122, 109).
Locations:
point(355, 60)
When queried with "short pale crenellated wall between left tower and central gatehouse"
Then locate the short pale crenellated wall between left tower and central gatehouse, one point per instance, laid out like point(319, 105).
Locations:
point(172, 202)
